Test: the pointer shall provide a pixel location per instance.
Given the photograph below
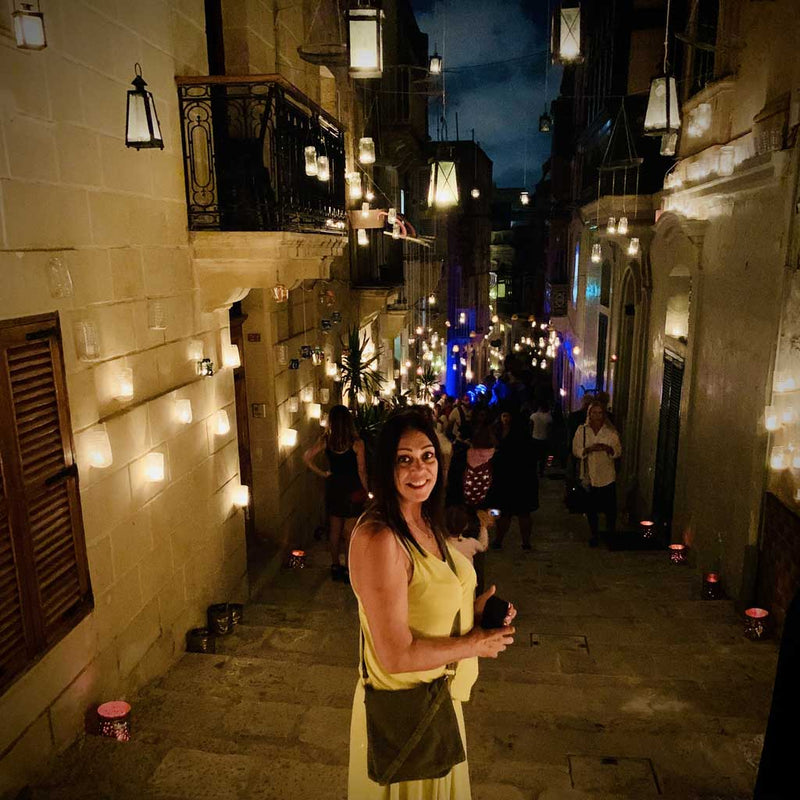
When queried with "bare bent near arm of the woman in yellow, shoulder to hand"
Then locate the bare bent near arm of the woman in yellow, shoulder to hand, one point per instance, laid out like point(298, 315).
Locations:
point(380, 572)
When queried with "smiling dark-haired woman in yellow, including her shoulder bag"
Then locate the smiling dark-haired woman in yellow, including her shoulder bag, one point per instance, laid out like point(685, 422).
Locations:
point(419, 642)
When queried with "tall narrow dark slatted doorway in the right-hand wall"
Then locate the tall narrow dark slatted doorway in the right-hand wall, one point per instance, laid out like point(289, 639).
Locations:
point(668, 434)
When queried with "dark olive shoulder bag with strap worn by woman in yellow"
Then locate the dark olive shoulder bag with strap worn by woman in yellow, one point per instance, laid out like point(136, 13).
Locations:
point(412, 734)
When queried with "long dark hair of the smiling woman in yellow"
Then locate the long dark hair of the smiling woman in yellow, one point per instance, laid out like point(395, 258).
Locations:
point(386, 506)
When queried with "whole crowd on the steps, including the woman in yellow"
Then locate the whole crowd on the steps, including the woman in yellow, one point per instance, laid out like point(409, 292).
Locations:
point(413, 534)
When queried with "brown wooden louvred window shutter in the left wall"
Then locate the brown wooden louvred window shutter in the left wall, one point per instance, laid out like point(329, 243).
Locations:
point(44, 577)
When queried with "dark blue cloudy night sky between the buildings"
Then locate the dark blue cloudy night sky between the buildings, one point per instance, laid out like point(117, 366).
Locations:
point(504, 96)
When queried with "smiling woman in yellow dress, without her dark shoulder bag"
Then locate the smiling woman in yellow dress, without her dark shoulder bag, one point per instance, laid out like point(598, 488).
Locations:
point(408, 596)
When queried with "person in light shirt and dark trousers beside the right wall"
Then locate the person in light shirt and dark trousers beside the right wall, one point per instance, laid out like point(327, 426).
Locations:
point(595, 447)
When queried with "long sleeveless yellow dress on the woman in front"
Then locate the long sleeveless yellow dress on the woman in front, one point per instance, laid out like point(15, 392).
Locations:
point(435, 594)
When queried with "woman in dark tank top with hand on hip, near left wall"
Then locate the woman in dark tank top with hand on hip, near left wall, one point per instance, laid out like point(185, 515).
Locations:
point(345, 481)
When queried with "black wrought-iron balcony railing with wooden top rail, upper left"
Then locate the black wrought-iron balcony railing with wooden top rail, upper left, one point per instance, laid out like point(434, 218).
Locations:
point(244, 140)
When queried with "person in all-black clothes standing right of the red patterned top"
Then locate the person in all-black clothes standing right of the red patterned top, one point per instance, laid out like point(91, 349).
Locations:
point(515, 485)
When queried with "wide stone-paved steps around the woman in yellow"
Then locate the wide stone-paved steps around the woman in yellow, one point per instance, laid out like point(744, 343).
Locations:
point(622, 683)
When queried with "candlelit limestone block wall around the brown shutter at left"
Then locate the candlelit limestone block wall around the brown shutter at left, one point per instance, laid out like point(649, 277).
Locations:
point(158, 552)
